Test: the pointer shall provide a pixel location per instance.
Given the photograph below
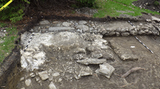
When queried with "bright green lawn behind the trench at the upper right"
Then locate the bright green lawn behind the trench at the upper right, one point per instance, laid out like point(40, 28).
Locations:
point(116, 7)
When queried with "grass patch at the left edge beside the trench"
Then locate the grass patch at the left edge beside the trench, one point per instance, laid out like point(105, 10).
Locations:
point(9, 41)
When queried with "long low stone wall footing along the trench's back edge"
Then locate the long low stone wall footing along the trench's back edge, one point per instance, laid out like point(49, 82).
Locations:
point(117, 28)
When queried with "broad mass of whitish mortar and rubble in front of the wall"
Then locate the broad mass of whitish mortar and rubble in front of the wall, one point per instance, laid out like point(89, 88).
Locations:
point(64, 48)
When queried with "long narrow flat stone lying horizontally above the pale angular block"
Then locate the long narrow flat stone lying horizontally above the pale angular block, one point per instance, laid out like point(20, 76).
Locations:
point(88, 61)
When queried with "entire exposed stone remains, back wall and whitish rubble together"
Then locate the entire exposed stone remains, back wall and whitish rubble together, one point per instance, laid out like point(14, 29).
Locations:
point(64, 51)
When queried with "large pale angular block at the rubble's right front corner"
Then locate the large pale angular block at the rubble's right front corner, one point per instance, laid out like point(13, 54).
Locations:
point(105, 69)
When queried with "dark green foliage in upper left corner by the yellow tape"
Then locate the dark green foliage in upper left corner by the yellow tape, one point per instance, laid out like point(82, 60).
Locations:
point(13, 12)
